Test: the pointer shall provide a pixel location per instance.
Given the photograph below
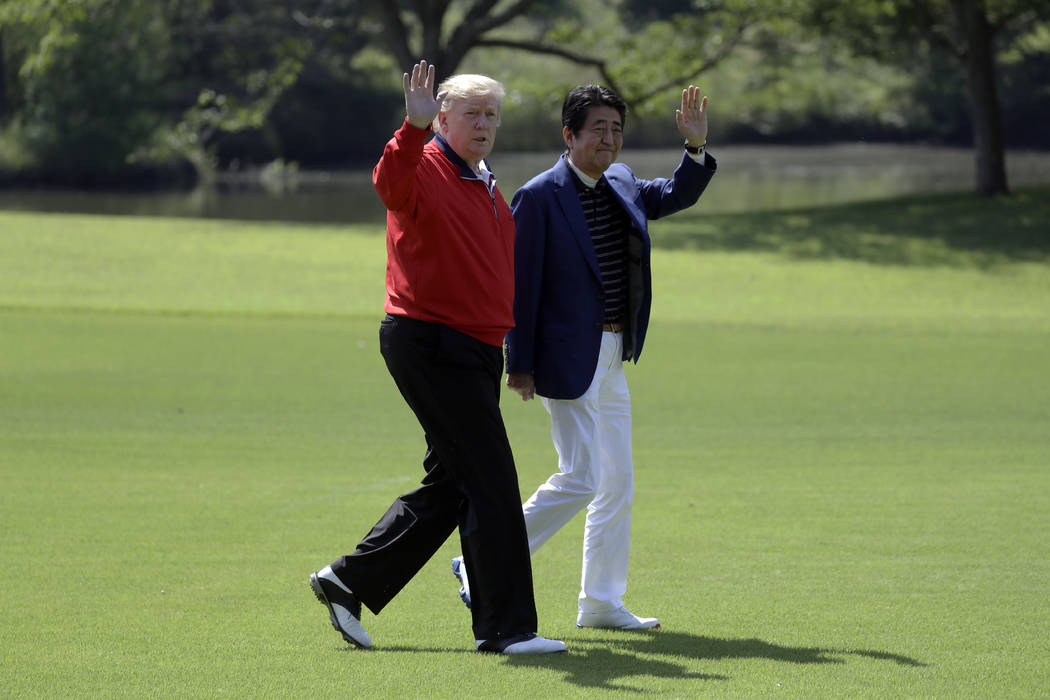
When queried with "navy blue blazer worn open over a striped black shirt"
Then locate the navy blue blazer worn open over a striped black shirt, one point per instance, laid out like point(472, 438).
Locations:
point(559, 300)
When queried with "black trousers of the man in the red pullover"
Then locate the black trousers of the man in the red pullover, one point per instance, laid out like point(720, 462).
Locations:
point(452, 383)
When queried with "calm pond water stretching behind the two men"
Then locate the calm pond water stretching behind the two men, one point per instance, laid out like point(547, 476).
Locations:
point(750, 178)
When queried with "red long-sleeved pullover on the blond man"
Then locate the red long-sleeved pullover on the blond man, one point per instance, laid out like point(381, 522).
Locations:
point(450, 243)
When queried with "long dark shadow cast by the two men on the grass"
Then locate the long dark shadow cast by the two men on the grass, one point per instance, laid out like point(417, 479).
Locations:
point(605, 662)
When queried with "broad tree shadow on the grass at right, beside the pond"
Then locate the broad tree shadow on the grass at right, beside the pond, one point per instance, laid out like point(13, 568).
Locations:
point(957, 230)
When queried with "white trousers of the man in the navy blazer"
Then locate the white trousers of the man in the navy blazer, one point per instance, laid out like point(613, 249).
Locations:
point(593, 437)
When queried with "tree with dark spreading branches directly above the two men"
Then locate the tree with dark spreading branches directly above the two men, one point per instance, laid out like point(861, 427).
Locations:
point(669, 48)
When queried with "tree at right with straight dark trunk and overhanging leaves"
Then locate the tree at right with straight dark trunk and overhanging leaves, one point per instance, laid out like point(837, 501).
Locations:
point(967, 31)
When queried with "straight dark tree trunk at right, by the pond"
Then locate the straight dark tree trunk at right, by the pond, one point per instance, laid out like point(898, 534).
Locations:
point(979, 62)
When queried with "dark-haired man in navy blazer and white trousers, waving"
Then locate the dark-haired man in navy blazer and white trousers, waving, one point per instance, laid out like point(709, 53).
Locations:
point(582, 298)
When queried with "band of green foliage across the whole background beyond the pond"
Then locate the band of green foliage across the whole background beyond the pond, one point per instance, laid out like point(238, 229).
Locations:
point(96, 87)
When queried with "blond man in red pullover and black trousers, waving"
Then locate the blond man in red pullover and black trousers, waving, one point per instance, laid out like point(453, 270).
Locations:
point(450, 304)
